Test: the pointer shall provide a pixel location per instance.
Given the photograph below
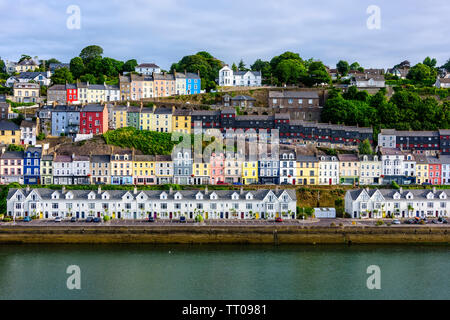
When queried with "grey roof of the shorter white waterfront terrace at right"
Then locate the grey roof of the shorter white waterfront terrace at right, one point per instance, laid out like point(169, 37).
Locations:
point(418, 194)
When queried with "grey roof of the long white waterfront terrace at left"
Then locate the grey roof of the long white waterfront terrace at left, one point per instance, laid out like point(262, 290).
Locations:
point(153, 194)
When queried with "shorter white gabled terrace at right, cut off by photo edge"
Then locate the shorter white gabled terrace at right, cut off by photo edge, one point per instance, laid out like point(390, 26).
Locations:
point(379, 203)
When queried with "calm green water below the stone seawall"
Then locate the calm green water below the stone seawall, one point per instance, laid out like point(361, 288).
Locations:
point(224, 272)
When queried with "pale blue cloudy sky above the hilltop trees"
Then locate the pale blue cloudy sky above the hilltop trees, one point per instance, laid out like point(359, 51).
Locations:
point(163, 31)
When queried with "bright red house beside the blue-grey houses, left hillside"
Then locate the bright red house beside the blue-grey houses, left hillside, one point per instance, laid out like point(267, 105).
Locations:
point(93, 119)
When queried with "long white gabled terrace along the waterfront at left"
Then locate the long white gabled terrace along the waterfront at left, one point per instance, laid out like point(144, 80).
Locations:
point(123, 204)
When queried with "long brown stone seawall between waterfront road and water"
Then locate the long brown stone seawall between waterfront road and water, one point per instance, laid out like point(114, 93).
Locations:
point(226, 235)
